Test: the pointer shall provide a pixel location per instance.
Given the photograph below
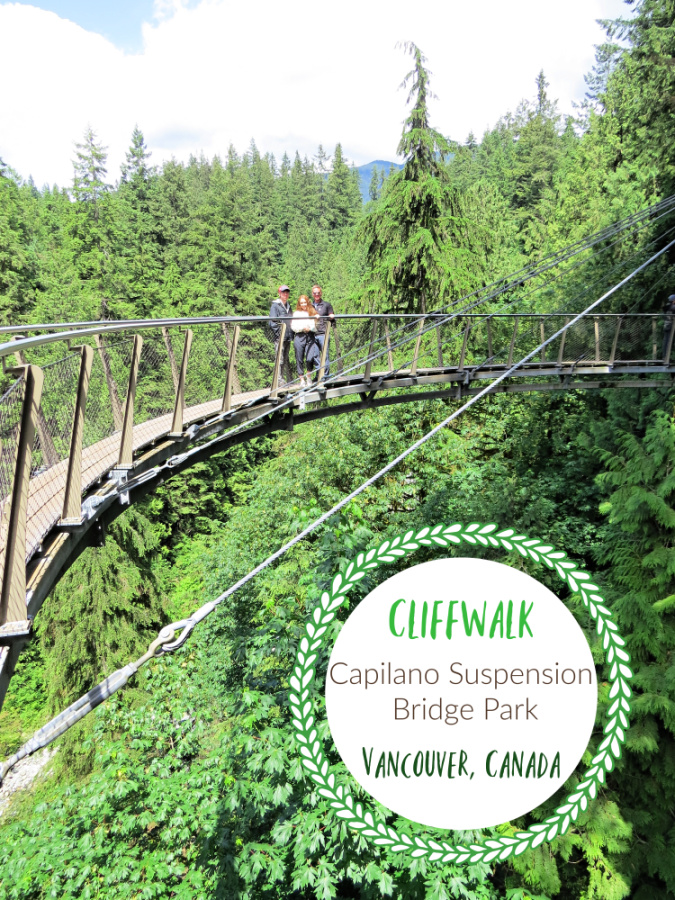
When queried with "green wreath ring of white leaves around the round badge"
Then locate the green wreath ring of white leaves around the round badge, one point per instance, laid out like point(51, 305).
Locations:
point(357, 815)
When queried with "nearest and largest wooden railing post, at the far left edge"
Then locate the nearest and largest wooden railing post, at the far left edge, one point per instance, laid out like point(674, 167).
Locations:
point(13, 591)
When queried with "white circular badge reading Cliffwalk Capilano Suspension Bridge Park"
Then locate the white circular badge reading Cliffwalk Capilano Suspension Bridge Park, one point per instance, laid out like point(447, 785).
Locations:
point(461, 693)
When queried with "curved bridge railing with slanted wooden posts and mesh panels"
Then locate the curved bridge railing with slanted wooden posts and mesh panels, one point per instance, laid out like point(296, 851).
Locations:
point(79, 403)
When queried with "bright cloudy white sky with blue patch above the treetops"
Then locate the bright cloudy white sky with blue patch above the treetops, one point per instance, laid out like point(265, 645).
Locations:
point(199, 75)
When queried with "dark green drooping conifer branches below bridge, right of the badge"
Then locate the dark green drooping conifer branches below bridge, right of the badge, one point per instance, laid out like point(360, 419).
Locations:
point(638, 545)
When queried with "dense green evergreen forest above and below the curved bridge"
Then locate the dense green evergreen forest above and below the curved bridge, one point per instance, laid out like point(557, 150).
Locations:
point(189, 784)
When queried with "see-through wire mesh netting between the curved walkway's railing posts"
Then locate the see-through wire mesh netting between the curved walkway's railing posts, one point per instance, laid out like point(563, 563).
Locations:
point(391, 344)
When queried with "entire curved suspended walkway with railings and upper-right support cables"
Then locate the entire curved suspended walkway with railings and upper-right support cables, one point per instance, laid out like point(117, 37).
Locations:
point(95, 415)
